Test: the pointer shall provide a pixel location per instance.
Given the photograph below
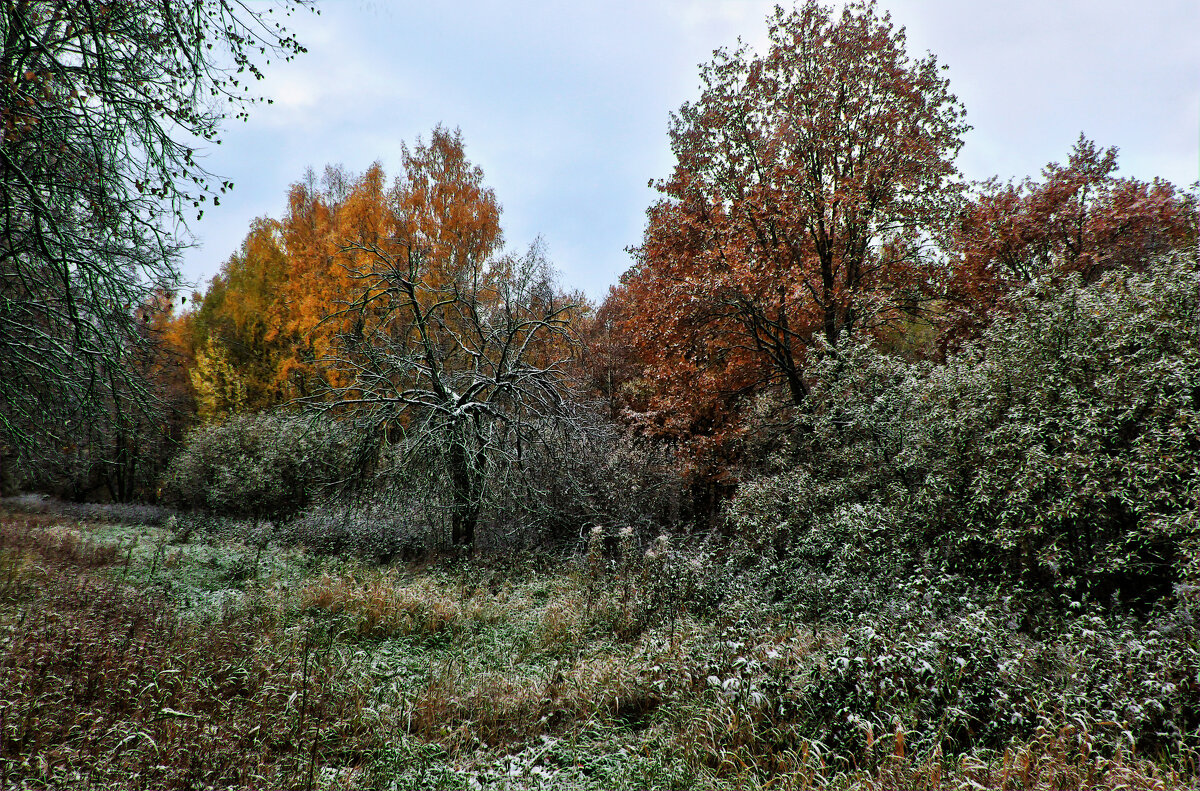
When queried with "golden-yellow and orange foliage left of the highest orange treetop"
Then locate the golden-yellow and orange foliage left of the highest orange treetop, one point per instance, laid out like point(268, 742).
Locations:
point(260, 328)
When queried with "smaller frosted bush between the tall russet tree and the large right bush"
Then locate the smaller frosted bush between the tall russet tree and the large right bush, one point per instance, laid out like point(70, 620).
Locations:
point(830, 531)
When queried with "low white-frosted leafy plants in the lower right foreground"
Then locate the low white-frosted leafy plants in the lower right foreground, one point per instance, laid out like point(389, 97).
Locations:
point(947, 672)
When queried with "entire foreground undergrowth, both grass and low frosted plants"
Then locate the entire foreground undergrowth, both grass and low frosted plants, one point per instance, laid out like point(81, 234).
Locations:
point(133, 660)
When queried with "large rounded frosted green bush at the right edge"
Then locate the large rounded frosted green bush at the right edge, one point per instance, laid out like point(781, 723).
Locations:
point(1081, 468)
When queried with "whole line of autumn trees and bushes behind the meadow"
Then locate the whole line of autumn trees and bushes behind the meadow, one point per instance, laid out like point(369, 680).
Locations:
point(829, 349)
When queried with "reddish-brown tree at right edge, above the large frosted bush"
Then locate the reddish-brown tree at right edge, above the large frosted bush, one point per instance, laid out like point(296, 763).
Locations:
point(1081, 218)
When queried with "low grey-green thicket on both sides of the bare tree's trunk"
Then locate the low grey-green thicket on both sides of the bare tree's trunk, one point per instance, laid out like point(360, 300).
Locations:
point(335, 488)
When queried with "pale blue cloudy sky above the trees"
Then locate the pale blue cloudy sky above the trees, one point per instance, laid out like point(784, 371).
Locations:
point(566, 104)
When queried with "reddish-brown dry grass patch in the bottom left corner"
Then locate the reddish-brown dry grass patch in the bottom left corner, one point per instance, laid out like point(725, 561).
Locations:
point(101, 685)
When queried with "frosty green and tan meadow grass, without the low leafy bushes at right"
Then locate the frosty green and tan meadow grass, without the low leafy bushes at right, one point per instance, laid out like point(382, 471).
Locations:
point(129, 661)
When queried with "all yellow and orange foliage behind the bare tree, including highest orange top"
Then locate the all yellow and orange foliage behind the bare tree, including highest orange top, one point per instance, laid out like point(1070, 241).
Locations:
point(268, 309)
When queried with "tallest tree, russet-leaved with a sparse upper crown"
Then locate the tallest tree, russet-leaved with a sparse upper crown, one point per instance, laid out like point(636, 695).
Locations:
point(807, 181)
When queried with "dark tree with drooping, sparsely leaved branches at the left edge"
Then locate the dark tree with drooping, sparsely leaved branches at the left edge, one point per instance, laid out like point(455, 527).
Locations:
point(103, 107)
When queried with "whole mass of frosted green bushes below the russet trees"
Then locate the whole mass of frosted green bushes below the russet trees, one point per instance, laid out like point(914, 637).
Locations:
point(1059, 458)
